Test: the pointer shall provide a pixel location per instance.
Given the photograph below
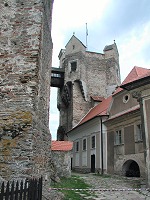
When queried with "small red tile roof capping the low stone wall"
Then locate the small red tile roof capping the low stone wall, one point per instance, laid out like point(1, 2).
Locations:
point(61, 146)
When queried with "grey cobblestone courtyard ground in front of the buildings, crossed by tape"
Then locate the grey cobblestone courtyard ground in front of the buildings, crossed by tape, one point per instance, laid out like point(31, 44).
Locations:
point(115, 182)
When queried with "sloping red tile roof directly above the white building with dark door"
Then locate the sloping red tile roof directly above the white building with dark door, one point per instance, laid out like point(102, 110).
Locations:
point(98, 110)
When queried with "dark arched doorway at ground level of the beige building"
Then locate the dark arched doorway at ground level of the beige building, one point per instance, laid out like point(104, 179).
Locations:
point(131, 169)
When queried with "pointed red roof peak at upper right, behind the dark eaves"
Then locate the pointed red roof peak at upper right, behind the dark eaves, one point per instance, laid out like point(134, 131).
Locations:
point(135, 74)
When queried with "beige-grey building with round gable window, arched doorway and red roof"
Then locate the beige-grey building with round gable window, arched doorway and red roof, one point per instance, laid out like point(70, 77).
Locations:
point(124, 131)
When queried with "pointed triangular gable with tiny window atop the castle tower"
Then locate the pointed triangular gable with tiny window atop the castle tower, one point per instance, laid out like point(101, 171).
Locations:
point(74, 45)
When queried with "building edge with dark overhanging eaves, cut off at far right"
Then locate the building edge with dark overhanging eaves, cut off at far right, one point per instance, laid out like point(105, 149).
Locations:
point(140, 90)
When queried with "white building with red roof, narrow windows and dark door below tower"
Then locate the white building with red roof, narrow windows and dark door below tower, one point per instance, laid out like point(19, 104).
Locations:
point(90, 140)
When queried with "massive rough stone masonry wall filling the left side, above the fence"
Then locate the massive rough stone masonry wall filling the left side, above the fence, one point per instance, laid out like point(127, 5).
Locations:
point(25, 71)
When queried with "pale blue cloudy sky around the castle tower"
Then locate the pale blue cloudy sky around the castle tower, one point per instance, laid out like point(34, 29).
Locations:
point(125, 21)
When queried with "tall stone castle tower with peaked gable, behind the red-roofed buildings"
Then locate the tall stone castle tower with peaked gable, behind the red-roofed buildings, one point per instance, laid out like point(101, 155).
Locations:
point(87, 75)
